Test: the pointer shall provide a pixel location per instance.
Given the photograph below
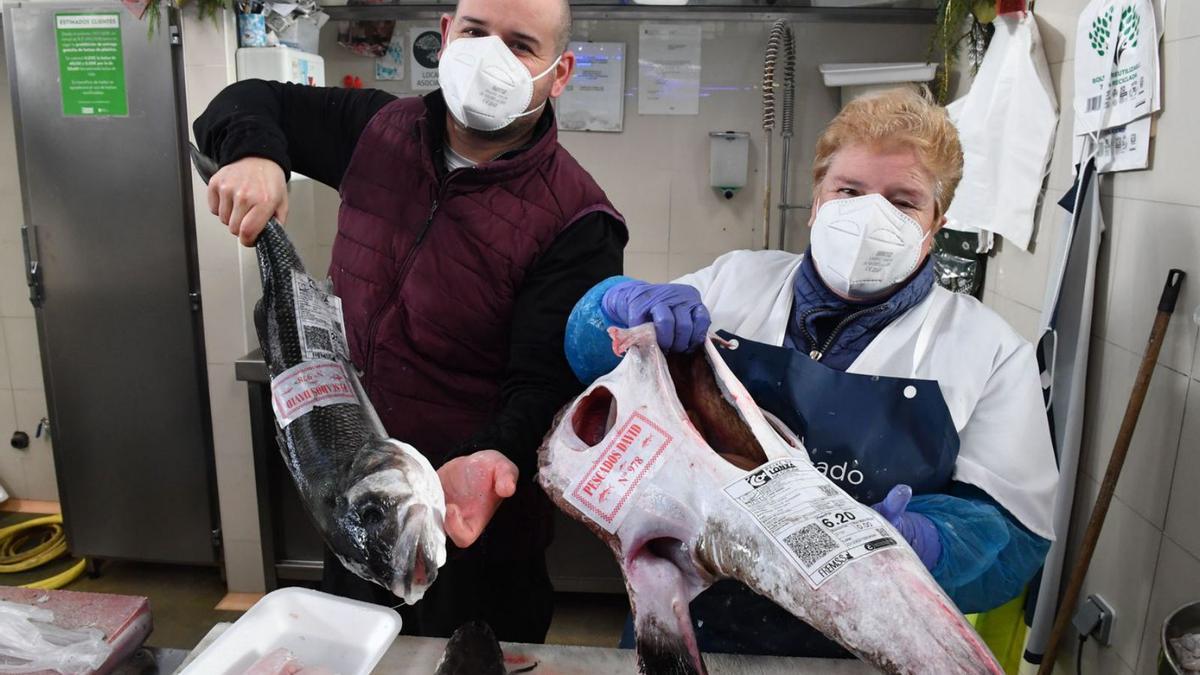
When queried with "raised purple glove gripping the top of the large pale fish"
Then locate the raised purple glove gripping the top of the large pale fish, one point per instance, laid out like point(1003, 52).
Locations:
point(681, 320)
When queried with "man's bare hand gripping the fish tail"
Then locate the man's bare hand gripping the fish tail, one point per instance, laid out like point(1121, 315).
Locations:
point(247, 194)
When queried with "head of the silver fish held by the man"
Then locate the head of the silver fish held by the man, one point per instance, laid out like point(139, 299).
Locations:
point(392, 511)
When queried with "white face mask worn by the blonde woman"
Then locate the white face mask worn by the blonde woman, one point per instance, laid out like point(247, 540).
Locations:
point(863, 247)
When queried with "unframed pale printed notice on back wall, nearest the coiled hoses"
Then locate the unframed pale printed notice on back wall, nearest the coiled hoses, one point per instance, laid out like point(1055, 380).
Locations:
point(669, 69)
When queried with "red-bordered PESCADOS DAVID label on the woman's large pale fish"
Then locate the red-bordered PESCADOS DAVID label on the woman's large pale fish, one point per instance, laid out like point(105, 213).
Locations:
point(631, 457)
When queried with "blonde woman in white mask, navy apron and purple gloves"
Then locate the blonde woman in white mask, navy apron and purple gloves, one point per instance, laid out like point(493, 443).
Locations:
point(913, 399)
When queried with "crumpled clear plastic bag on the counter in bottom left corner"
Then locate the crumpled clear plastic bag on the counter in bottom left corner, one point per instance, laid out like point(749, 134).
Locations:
point(31, 643)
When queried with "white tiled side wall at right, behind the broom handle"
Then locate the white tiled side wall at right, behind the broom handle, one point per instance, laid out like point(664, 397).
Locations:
point(1149, 558)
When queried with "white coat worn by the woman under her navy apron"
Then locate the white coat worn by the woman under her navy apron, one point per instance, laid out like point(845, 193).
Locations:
point(988, 374)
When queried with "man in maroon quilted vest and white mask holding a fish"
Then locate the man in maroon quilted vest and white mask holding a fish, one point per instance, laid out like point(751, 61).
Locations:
point(466, 236)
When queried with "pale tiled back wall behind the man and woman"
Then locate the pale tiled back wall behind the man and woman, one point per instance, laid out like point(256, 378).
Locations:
point(656, 171)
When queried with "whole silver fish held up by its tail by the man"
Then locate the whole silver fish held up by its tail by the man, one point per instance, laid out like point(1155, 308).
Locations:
point(377, 503)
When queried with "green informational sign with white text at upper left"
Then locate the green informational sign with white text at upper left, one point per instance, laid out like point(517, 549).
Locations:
point(92, 64)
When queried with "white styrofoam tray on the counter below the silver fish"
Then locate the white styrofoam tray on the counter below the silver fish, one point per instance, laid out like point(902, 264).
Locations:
point(347, 637)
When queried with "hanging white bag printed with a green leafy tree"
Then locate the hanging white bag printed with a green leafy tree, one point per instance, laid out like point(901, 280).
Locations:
point(1117, 64)
